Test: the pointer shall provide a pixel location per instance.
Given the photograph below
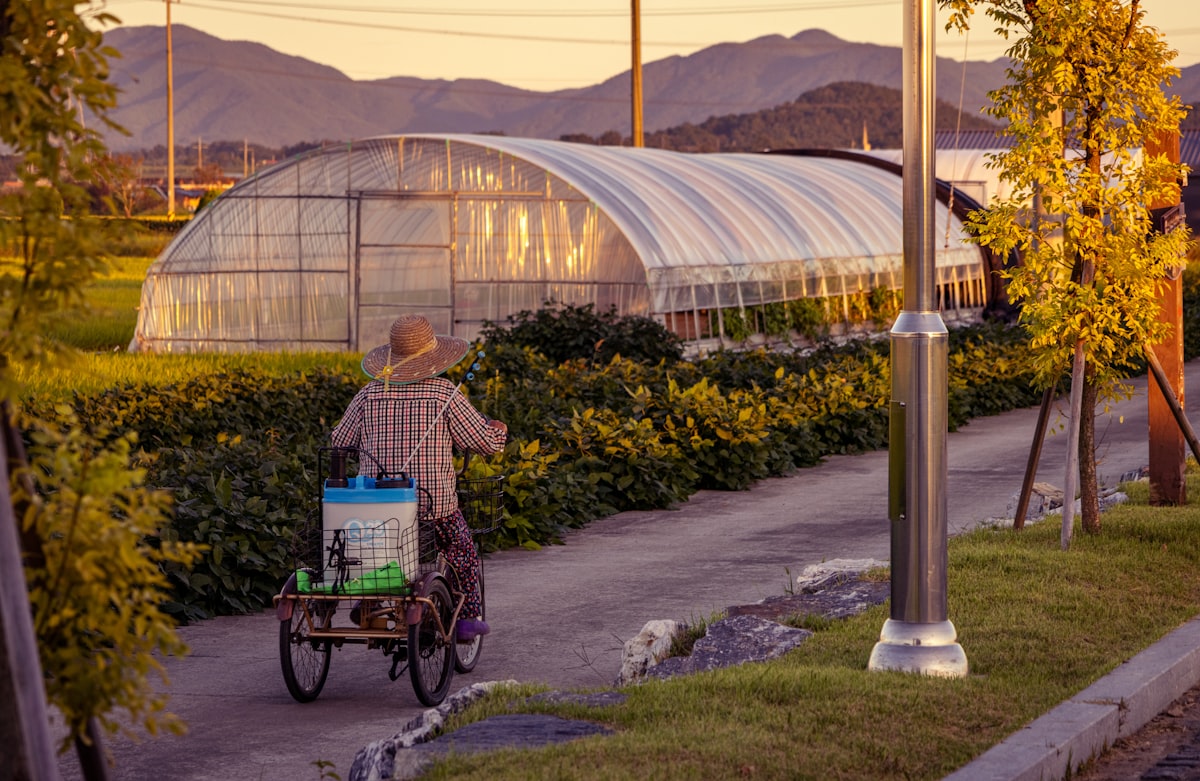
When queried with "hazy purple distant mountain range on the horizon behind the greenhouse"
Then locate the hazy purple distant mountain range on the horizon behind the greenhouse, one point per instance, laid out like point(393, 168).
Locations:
point(238, 91)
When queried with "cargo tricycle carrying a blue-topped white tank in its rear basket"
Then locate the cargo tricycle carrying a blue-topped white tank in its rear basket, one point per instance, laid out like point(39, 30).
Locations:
point(369, 573)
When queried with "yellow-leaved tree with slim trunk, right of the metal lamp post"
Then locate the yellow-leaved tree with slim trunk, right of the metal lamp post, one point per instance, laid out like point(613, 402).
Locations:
point(1085, 94)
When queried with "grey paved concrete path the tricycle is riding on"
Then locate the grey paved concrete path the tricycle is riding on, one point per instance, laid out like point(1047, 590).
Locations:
point(562, 615)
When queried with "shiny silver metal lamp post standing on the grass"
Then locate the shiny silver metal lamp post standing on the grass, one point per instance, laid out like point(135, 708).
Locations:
point(919, 638)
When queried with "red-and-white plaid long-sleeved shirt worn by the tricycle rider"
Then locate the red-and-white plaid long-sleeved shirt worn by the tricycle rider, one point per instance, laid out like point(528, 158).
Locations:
point(389, 424)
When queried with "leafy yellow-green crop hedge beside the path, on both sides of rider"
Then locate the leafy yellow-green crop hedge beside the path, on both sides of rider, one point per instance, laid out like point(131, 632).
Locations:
point(238, 453)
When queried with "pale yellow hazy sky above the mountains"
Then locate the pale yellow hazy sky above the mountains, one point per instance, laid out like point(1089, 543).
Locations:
point(551, 45)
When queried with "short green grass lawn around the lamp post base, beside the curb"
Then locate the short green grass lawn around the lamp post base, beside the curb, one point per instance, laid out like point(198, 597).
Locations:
point(1037, 624)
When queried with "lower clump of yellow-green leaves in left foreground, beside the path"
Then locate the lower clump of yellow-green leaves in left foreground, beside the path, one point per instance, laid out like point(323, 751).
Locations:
point(98, 581)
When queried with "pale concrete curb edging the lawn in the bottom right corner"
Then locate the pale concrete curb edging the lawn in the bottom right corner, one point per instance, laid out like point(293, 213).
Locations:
point(1054, 746)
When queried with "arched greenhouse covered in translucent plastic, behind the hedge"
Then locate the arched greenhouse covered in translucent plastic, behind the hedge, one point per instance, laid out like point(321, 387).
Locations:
point(323, 251)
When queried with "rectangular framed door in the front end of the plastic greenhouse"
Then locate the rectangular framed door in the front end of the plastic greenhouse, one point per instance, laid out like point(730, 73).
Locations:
point(431, 257)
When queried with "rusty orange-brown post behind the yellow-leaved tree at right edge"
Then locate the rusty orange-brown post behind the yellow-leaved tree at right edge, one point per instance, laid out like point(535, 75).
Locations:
point(1168, 450)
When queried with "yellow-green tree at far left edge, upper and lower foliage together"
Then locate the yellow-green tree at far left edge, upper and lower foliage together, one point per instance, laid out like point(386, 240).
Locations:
point(91, 532)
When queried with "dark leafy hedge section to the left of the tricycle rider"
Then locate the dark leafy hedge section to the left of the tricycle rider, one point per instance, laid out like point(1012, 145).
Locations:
point(238, 454)
